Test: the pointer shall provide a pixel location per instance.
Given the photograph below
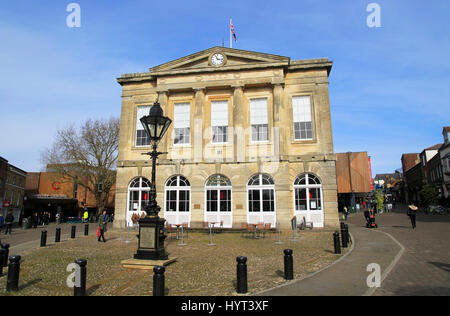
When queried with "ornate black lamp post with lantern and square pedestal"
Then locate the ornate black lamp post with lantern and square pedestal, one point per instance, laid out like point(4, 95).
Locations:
point(151, 228)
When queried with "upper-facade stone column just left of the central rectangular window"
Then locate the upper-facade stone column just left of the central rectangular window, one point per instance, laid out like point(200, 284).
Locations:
point(198, 141)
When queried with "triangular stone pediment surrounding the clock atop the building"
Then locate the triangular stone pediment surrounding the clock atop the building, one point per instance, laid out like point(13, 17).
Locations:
point(234, 58)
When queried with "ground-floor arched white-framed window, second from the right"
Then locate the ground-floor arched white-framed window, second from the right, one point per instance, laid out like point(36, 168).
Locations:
point(261, 199)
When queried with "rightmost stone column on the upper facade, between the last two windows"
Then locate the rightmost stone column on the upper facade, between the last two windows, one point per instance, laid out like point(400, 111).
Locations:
point(279, 110)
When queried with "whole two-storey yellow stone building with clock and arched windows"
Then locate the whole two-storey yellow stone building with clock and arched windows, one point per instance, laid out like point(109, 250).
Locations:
point(250, 141)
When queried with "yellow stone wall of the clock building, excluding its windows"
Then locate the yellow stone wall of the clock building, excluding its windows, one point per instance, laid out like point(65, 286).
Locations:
point(281, 157)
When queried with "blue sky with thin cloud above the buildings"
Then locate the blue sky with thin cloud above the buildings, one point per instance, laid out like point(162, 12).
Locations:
point(389, 87)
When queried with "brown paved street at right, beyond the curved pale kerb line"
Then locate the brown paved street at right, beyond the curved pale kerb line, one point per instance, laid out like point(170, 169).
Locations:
point(424, 267)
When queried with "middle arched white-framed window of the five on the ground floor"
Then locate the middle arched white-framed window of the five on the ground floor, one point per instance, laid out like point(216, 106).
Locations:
point(218, 191)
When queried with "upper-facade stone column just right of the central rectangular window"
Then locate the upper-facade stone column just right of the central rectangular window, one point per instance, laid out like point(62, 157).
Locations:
point(238, 124)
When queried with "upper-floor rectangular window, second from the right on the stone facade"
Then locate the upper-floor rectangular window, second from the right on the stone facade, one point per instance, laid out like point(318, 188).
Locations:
point(259, 120)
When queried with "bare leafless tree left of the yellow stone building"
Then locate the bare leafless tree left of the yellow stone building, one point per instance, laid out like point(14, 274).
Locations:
point(87, 157)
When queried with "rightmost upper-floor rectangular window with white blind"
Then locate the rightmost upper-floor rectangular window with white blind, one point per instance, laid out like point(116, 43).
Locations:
point(301, 107)
